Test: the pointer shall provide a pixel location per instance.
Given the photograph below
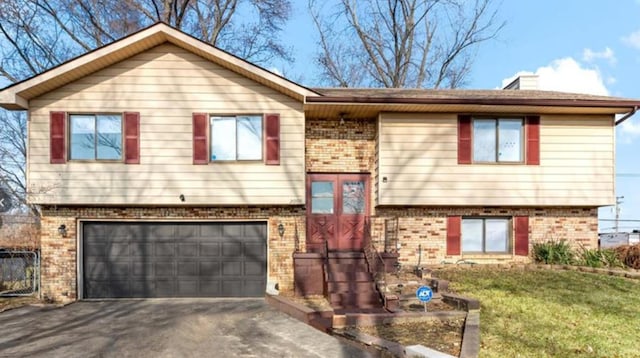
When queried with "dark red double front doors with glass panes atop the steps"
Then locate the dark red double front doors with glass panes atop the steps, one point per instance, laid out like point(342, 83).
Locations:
point(337, 209)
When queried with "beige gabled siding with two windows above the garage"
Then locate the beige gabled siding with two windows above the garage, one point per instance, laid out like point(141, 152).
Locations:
point(166, 85)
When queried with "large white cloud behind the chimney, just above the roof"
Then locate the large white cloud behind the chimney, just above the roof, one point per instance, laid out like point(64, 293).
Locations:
point(566, 75)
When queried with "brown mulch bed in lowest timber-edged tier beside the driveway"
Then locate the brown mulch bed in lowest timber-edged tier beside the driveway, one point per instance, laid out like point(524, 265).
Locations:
point(444, 336)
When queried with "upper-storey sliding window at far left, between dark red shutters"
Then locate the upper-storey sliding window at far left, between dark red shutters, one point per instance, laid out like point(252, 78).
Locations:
point(95, 137)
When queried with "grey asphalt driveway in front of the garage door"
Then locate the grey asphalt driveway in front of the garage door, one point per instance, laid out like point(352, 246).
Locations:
point(164, 328)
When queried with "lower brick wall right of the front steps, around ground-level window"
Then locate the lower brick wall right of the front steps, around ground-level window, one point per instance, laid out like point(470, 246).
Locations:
point(422, 232)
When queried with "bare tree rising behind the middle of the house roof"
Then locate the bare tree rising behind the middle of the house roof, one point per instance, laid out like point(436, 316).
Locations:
point(400, 43)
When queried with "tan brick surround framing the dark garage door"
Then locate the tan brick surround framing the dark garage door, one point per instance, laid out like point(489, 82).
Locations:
point(59, 266)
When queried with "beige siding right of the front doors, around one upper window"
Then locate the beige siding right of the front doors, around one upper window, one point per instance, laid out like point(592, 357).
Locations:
point(418, 156)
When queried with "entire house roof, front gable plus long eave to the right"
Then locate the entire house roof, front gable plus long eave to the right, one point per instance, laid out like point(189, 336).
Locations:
point(320, 102)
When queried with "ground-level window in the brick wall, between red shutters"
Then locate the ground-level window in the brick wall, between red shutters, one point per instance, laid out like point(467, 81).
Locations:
point(485, 235)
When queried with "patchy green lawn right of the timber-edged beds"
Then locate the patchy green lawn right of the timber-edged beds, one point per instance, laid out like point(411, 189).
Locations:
point(546, 313)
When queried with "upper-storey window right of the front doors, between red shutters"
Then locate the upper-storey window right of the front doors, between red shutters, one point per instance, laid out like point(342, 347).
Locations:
point(498, 140)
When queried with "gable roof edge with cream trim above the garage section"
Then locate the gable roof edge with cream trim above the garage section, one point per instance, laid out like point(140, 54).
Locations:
point(17, 95)
